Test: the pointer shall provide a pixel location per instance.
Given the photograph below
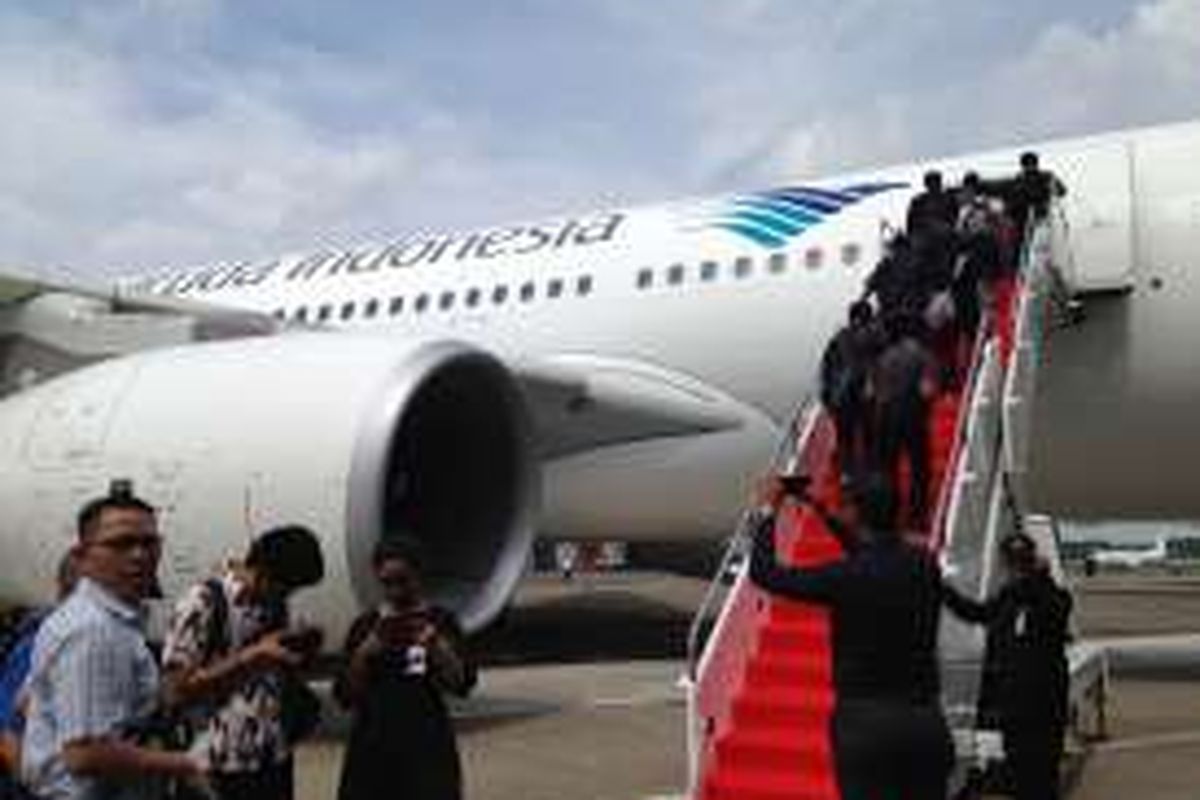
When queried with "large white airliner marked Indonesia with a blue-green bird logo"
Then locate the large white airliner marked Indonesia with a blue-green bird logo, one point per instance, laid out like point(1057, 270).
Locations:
point(619, 375)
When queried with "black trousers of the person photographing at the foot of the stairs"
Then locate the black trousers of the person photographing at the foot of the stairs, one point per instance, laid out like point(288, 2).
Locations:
point(891, 751)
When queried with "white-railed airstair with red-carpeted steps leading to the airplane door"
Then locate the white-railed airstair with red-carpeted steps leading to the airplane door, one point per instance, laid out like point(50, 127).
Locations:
point(760, 676)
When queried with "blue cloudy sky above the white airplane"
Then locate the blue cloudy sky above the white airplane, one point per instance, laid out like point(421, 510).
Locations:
point(149, 134)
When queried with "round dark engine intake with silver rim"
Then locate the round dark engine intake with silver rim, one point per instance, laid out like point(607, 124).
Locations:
point(448, 464)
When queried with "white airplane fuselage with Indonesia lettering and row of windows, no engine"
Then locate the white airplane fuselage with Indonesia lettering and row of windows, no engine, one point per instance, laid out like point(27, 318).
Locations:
point(1114, 436)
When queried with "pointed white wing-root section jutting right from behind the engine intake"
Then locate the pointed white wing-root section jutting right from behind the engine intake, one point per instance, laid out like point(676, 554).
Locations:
point(584, 402)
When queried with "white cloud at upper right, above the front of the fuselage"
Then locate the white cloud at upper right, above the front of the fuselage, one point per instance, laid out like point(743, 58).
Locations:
point(1065, 81)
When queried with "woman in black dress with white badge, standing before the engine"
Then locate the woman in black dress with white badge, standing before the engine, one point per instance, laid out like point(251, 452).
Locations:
point(400, 659)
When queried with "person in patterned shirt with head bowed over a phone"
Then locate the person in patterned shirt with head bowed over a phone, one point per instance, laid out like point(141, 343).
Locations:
point(231, 659)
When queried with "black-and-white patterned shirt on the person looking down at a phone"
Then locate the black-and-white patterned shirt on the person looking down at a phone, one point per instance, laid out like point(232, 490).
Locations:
point(241, 732)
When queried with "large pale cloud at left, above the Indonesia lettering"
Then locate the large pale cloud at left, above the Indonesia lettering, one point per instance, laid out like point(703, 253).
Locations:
point(105, 173)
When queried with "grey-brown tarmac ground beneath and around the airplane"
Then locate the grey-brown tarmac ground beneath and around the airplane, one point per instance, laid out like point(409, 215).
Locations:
point(579, 697)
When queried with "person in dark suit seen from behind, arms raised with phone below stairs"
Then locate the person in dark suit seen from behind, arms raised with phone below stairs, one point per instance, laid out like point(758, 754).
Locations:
point(890, 738)
